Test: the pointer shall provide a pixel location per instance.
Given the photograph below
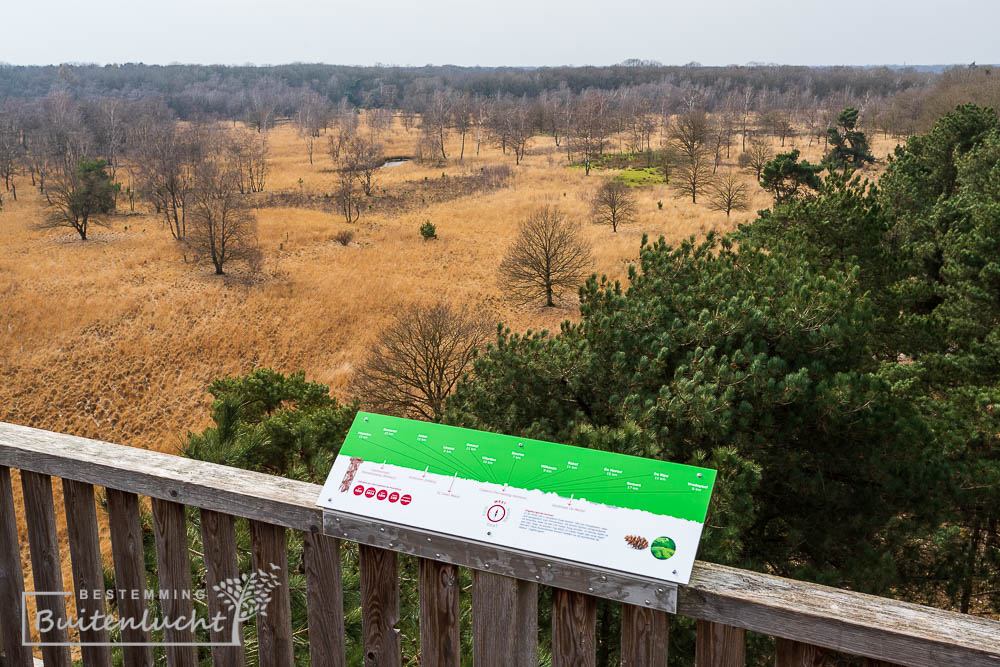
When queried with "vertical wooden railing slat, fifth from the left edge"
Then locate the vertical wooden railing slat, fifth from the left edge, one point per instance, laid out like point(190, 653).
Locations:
point(174, 567)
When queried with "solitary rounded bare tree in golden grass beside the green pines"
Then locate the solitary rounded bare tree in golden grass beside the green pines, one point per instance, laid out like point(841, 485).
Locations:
point(547, 258)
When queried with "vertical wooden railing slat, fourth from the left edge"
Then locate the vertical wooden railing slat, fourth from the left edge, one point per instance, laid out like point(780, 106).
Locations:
point(130, 573)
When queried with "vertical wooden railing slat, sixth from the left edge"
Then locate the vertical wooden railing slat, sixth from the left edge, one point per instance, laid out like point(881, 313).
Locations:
point(218, 536)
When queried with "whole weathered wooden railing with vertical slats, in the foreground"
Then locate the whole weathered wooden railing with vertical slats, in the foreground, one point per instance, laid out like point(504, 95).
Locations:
point(808, 620)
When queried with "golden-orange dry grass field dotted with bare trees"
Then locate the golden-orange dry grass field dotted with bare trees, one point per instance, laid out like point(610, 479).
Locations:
point(116, 338)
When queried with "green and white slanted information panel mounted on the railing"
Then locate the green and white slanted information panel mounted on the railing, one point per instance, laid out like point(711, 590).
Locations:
point(635, 515)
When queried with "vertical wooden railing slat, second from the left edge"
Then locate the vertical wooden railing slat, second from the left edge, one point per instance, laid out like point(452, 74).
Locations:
point(40, 515)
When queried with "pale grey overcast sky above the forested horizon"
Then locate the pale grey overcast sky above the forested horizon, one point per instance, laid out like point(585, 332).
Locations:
point(501, 32)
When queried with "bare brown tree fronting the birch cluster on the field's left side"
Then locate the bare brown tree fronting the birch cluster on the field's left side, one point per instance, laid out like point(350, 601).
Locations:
point(222, 228)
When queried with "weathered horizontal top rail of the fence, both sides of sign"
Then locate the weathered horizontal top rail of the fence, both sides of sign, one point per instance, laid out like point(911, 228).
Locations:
point(878, 628)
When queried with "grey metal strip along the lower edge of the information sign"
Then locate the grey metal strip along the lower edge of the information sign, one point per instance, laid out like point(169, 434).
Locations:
point(569, 575)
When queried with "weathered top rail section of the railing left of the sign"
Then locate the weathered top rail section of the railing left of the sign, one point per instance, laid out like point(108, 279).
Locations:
point(243, 493)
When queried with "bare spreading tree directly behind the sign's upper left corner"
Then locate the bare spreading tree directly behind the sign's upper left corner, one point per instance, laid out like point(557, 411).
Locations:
point(419, 358)
